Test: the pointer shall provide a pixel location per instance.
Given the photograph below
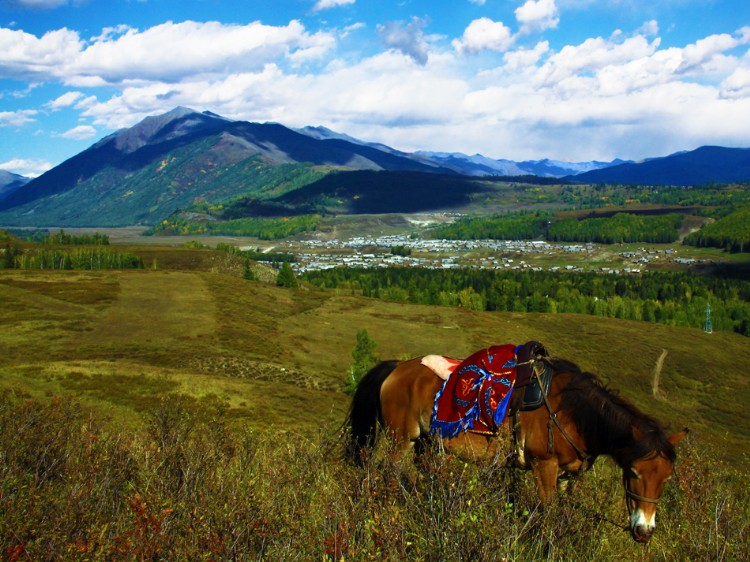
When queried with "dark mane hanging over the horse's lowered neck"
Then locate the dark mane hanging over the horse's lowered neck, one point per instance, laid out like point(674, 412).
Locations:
point(606, 420)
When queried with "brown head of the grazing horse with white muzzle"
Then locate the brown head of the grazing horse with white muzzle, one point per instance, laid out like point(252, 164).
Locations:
point(644, 480)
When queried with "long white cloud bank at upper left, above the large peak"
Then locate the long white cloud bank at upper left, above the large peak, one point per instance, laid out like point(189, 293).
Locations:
point(204, 47)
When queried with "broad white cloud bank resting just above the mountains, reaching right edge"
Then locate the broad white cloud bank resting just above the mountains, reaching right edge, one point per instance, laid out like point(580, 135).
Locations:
point(624, 91)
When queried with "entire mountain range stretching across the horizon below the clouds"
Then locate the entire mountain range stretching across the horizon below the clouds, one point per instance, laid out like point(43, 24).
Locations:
point(176, 160)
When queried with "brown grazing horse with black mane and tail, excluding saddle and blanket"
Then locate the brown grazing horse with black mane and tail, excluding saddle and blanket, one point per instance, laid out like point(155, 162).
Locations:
point(580, 420)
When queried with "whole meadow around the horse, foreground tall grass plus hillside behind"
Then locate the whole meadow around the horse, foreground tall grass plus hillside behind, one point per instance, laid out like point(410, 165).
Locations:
point(181, 412)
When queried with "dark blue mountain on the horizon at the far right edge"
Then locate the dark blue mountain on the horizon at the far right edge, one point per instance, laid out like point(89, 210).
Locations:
point(703, 165)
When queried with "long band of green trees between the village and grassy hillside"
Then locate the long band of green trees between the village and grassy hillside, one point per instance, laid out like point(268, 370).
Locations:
point(677, 299)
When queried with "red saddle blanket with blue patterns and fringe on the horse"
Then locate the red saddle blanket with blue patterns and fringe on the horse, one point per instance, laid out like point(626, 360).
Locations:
point(477, 393)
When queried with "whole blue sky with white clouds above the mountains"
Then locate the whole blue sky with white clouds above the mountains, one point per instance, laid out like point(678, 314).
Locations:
point(571, 80)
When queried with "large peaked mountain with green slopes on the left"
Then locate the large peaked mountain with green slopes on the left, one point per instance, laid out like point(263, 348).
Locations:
point(141, 174)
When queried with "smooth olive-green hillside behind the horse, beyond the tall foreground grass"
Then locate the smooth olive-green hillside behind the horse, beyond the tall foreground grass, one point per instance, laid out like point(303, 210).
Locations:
point(120, 340)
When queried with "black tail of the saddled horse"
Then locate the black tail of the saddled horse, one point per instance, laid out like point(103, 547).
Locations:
point(364, 412)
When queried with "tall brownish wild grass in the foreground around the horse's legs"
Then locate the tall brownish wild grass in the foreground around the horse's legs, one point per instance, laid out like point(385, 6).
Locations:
point(188, 488)
